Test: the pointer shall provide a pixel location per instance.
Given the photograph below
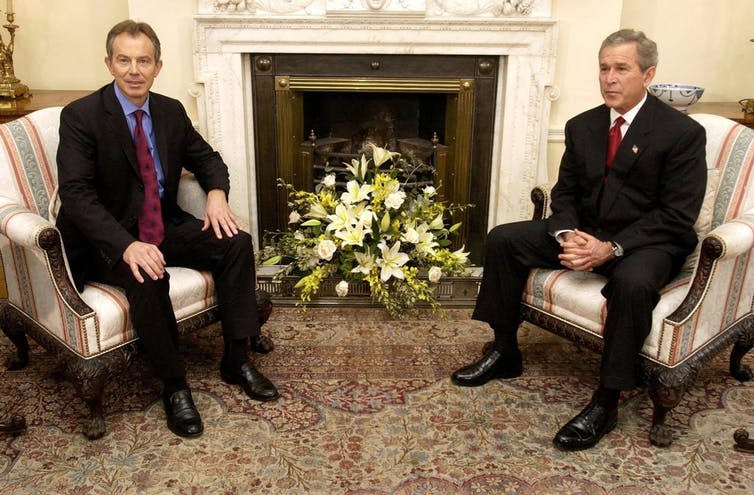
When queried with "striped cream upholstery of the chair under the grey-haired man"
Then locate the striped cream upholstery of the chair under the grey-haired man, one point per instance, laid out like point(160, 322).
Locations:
point(728, 214)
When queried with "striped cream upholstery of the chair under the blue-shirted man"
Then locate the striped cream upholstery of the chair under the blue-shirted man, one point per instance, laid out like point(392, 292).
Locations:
point(28, 200)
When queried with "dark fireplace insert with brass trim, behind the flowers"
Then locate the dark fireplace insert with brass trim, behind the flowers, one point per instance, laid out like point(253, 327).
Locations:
point(313, 111)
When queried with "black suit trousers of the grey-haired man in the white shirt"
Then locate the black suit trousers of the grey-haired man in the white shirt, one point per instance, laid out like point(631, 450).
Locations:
point(632, 291)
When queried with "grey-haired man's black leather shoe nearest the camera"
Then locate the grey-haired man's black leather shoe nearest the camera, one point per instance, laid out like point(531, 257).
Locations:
point(587, 427)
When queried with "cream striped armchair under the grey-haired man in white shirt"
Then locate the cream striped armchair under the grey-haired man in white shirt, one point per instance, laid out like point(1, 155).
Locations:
point(704, 310)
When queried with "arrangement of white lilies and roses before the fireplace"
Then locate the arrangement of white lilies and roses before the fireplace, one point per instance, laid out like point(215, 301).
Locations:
point(384, 229)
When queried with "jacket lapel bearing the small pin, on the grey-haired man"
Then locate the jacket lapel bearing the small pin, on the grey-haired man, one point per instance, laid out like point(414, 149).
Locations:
point(629, 152)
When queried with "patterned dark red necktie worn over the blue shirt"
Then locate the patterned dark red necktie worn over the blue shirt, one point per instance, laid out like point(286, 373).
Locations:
point(151, 228)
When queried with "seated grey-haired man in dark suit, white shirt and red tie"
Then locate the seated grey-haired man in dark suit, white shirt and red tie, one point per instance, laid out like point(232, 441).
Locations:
point(629, 218)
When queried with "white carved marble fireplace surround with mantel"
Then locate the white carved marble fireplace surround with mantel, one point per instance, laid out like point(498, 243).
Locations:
point(520, 32)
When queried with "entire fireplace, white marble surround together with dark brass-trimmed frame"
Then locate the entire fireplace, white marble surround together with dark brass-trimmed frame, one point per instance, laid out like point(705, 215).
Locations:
point(517, 42)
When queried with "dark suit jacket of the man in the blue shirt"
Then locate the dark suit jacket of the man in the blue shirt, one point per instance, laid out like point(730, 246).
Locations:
point(101, 190)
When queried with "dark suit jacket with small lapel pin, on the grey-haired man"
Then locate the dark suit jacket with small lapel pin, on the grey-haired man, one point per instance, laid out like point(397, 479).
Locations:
point(655, 187)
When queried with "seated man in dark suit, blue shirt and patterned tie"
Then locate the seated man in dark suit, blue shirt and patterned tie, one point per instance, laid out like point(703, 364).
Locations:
point(120, 157)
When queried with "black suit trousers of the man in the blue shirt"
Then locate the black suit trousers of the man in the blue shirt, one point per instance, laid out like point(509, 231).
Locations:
point(231, 262)
